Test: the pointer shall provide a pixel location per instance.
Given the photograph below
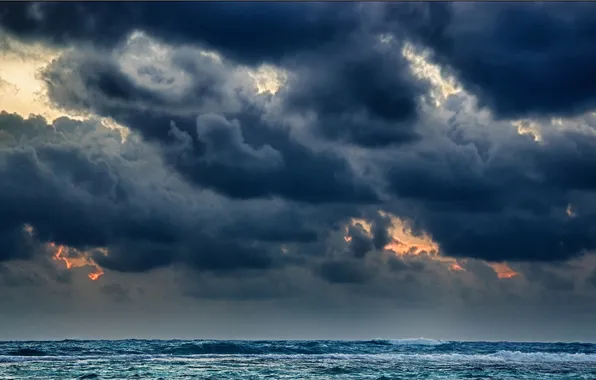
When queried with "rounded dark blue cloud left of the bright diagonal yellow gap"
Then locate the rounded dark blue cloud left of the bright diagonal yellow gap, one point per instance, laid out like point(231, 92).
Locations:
point(361, 92)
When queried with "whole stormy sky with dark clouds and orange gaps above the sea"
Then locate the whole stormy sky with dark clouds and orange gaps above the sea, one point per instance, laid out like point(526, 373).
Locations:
point(298, 170)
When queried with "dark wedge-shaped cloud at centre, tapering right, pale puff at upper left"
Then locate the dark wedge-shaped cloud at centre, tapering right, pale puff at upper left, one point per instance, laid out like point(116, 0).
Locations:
point(284, 168)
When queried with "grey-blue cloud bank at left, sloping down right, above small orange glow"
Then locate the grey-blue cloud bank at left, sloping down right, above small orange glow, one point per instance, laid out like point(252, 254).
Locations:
point(77, 184)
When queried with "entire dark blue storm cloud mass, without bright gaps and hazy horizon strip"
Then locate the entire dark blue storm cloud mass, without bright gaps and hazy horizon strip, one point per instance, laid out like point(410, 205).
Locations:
point(346, 135)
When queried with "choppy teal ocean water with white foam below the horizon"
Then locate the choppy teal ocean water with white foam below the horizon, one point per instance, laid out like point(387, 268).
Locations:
point(375, 359)
